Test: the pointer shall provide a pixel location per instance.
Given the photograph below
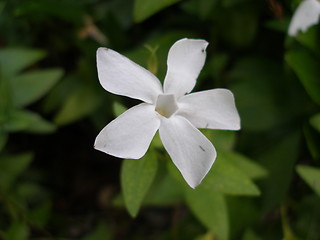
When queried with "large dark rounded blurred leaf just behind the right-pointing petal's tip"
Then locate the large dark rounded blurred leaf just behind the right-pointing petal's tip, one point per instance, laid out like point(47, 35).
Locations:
point(259, 92)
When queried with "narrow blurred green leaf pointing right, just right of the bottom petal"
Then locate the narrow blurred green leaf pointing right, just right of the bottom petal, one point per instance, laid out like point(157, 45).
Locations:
point(250, 168)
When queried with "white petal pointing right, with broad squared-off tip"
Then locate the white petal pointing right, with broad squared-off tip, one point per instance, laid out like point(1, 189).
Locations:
point(214, 109)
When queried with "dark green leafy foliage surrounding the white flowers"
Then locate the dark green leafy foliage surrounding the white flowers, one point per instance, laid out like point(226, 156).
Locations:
point(54, 185)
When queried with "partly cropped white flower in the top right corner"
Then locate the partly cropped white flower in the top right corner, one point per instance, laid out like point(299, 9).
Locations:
point(306, 15)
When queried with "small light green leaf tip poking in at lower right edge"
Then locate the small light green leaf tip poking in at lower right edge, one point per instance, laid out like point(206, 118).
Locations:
point(311, 176)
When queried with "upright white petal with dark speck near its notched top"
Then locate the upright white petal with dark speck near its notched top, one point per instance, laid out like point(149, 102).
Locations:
point(185, 60)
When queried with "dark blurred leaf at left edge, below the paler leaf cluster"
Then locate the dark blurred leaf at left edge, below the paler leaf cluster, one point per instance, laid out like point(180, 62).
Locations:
point(11, 167)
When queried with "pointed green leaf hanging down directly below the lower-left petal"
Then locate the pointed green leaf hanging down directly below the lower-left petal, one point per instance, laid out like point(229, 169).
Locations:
point(136, 179)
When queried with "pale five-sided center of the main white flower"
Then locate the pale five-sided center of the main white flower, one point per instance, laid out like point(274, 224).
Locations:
point(166, 105)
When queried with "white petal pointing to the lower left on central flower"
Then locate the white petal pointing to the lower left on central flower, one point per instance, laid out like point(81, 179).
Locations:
point(130, 134)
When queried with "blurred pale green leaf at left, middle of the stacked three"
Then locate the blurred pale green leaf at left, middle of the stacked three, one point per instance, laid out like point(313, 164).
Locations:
point(30, 86)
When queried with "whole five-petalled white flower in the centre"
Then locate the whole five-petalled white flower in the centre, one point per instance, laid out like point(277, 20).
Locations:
point(171, 110)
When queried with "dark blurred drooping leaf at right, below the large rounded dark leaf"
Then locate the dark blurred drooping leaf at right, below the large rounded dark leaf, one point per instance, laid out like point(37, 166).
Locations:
point(279, 161)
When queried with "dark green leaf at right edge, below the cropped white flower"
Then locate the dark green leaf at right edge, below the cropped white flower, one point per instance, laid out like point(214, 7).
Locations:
point(307, 69)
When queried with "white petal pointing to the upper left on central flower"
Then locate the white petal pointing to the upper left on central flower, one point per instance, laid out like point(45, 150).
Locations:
point(119, 75)
